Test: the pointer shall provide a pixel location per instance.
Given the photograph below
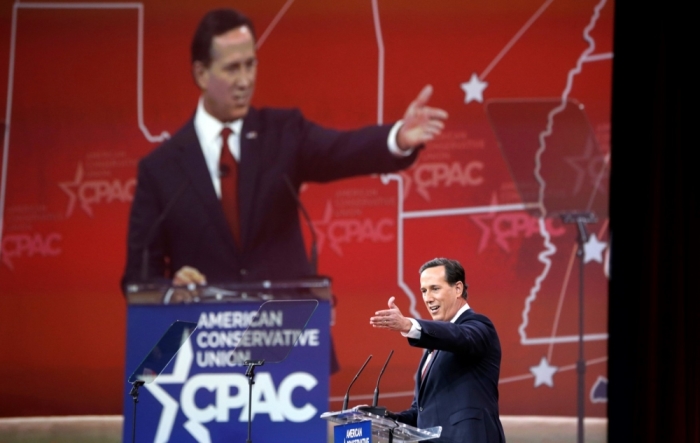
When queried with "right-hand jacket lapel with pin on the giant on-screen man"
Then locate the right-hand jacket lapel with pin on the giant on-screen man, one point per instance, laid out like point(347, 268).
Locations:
point(248, 170)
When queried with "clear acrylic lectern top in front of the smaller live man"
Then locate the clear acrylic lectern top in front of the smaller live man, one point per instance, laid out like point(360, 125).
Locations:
point(383, 428)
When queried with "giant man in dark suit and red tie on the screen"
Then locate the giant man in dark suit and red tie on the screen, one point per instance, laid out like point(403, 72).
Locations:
point(218, 201)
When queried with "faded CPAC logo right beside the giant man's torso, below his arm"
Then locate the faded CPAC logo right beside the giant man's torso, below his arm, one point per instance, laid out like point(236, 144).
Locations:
point(348, 230)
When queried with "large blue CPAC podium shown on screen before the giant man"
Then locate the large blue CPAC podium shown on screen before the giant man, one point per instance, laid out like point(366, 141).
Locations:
point(202, 395)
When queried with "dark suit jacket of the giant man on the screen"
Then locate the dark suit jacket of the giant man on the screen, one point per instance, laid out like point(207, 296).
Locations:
point(174, 185)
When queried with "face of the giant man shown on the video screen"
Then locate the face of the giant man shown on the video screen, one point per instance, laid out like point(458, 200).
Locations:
point(227, 83)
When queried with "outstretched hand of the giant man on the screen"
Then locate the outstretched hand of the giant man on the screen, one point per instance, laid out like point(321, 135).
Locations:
point(421, 123)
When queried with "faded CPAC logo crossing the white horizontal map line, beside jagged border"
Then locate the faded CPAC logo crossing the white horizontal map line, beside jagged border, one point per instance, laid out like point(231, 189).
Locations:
point(504, 227)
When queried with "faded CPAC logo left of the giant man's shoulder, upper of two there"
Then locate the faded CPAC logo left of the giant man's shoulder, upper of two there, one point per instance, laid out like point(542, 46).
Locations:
point(90, 192)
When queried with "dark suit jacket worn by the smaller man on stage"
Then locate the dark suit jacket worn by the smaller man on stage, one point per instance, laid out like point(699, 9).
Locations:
point(460, 389)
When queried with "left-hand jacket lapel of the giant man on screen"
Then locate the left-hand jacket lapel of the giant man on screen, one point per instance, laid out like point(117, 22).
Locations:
point(192, 163)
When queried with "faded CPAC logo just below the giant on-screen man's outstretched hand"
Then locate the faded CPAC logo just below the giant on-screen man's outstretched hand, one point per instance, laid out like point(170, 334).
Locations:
point(434, 175)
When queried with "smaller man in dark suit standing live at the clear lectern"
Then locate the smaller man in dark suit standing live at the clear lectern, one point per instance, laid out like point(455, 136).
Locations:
point(457, 379)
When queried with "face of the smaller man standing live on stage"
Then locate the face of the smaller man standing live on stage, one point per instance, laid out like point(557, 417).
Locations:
point(442, 300)
